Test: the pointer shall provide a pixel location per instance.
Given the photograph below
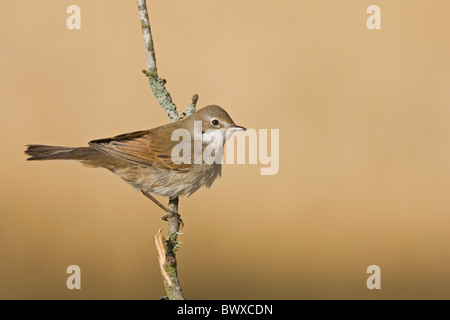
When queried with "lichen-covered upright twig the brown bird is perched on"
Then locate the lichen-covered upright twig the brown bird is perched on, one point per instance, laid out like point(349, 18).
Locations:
point(166, 247)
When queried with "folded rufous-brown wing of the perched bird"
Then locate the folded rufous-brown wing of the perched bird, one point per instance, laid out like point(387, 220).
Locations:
point(139, 147)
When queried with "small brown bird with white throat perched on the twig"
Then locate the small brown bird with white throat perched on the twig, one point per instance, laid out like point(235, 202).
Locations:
point(144, 158)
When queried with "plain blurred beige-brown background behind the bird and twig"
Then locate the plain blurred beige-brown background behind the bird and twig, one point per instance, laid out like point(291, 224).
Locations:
point(364, 148)
